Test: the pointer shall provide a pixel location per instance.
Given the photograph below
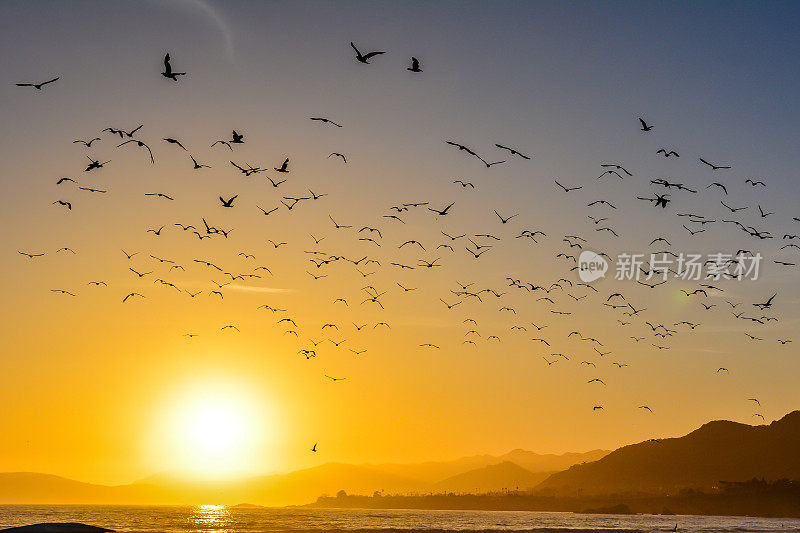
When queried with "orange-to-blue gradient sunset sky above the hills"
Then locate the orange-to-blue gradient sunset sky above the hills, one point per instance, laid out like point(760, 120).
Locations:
point(105, 391)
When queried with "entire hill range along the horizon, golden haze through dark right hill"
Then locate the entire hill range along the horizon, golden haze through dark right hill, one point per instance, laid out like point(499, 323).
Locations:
point(717, 451)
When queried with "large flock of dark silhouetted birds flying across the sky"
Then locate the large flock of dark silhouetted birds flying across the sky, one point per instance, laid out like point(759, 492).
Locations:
point(560, 299)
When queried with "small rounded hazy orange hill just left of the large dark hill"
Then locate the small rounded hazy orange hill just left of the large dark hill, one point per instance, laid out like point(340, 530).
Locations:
point(505, 475)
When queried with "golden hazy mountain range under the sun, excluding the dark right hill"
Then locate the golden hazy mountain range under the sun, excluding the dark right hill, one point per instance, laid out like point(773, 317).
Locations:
point(480, 473)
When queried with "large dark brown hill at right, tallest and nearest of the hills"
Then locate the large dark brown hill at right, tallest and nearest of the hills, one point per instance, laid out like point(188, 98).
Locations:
point(717, 451)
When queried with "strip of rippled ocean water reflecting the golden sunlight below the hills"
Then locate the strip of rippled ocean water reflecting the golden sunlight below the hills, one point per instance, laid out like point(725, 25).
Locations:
point(221, 519)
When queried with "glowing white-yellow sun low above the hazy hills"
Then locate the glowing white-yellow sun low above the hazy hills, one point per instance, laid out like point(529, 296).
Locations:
point(215, 430)
